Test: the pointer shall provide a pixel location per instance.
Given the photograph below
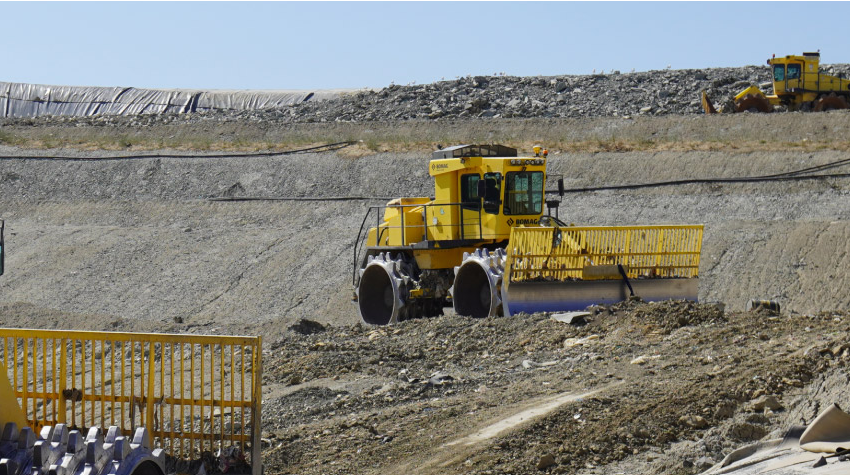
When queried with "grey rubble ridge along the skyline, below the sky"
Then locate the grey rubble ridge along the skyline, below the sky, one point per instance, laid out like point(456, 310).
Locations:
point(606, 94)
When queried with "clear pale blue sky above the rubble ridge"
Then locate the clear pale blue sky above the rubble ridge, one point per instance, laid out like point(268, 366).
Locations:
point(319, 45)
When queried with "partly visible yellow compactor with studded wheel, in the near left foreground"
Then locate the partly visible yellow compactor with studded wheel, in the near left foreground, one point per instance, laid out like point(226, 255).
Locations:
point(109, 403)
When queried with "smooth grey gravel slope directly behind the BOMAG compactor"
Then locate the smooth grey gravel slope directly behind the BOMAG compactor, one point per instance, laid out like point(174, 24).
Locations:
point(140, 239)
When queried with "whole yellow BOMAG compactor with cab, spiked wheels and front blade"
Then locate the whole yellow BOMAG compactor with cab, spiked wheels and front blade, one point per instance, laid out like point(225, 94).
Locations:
point(483, 245)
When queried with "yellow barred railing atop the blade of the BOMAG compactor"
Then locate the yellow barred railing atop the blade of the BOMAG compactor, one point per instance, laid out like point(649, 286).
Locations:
point(536, 253)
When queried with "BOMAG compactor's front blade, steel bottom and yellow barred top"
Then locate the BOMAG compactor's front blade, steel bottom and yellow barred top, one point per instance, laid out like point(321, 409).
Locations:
point(570, 268)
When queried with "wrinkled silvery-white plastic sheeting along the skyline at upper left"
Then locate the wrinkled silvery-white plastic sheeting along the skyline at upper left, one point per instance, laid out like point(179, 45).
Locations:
point(31, 100)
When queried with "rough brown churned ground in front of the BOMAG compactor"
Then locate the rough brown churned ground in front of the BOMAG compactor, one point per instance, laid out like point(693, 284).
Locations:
point(663, 388)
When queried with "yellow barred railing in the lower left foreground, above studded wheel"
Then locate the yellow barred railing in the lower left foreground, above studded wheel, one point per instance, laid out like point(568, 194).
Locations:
point(193, 393)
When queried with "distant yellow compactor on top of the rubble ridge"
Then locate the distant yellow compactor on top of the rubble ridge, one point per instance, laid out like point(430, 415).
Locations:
point(798, 84)
